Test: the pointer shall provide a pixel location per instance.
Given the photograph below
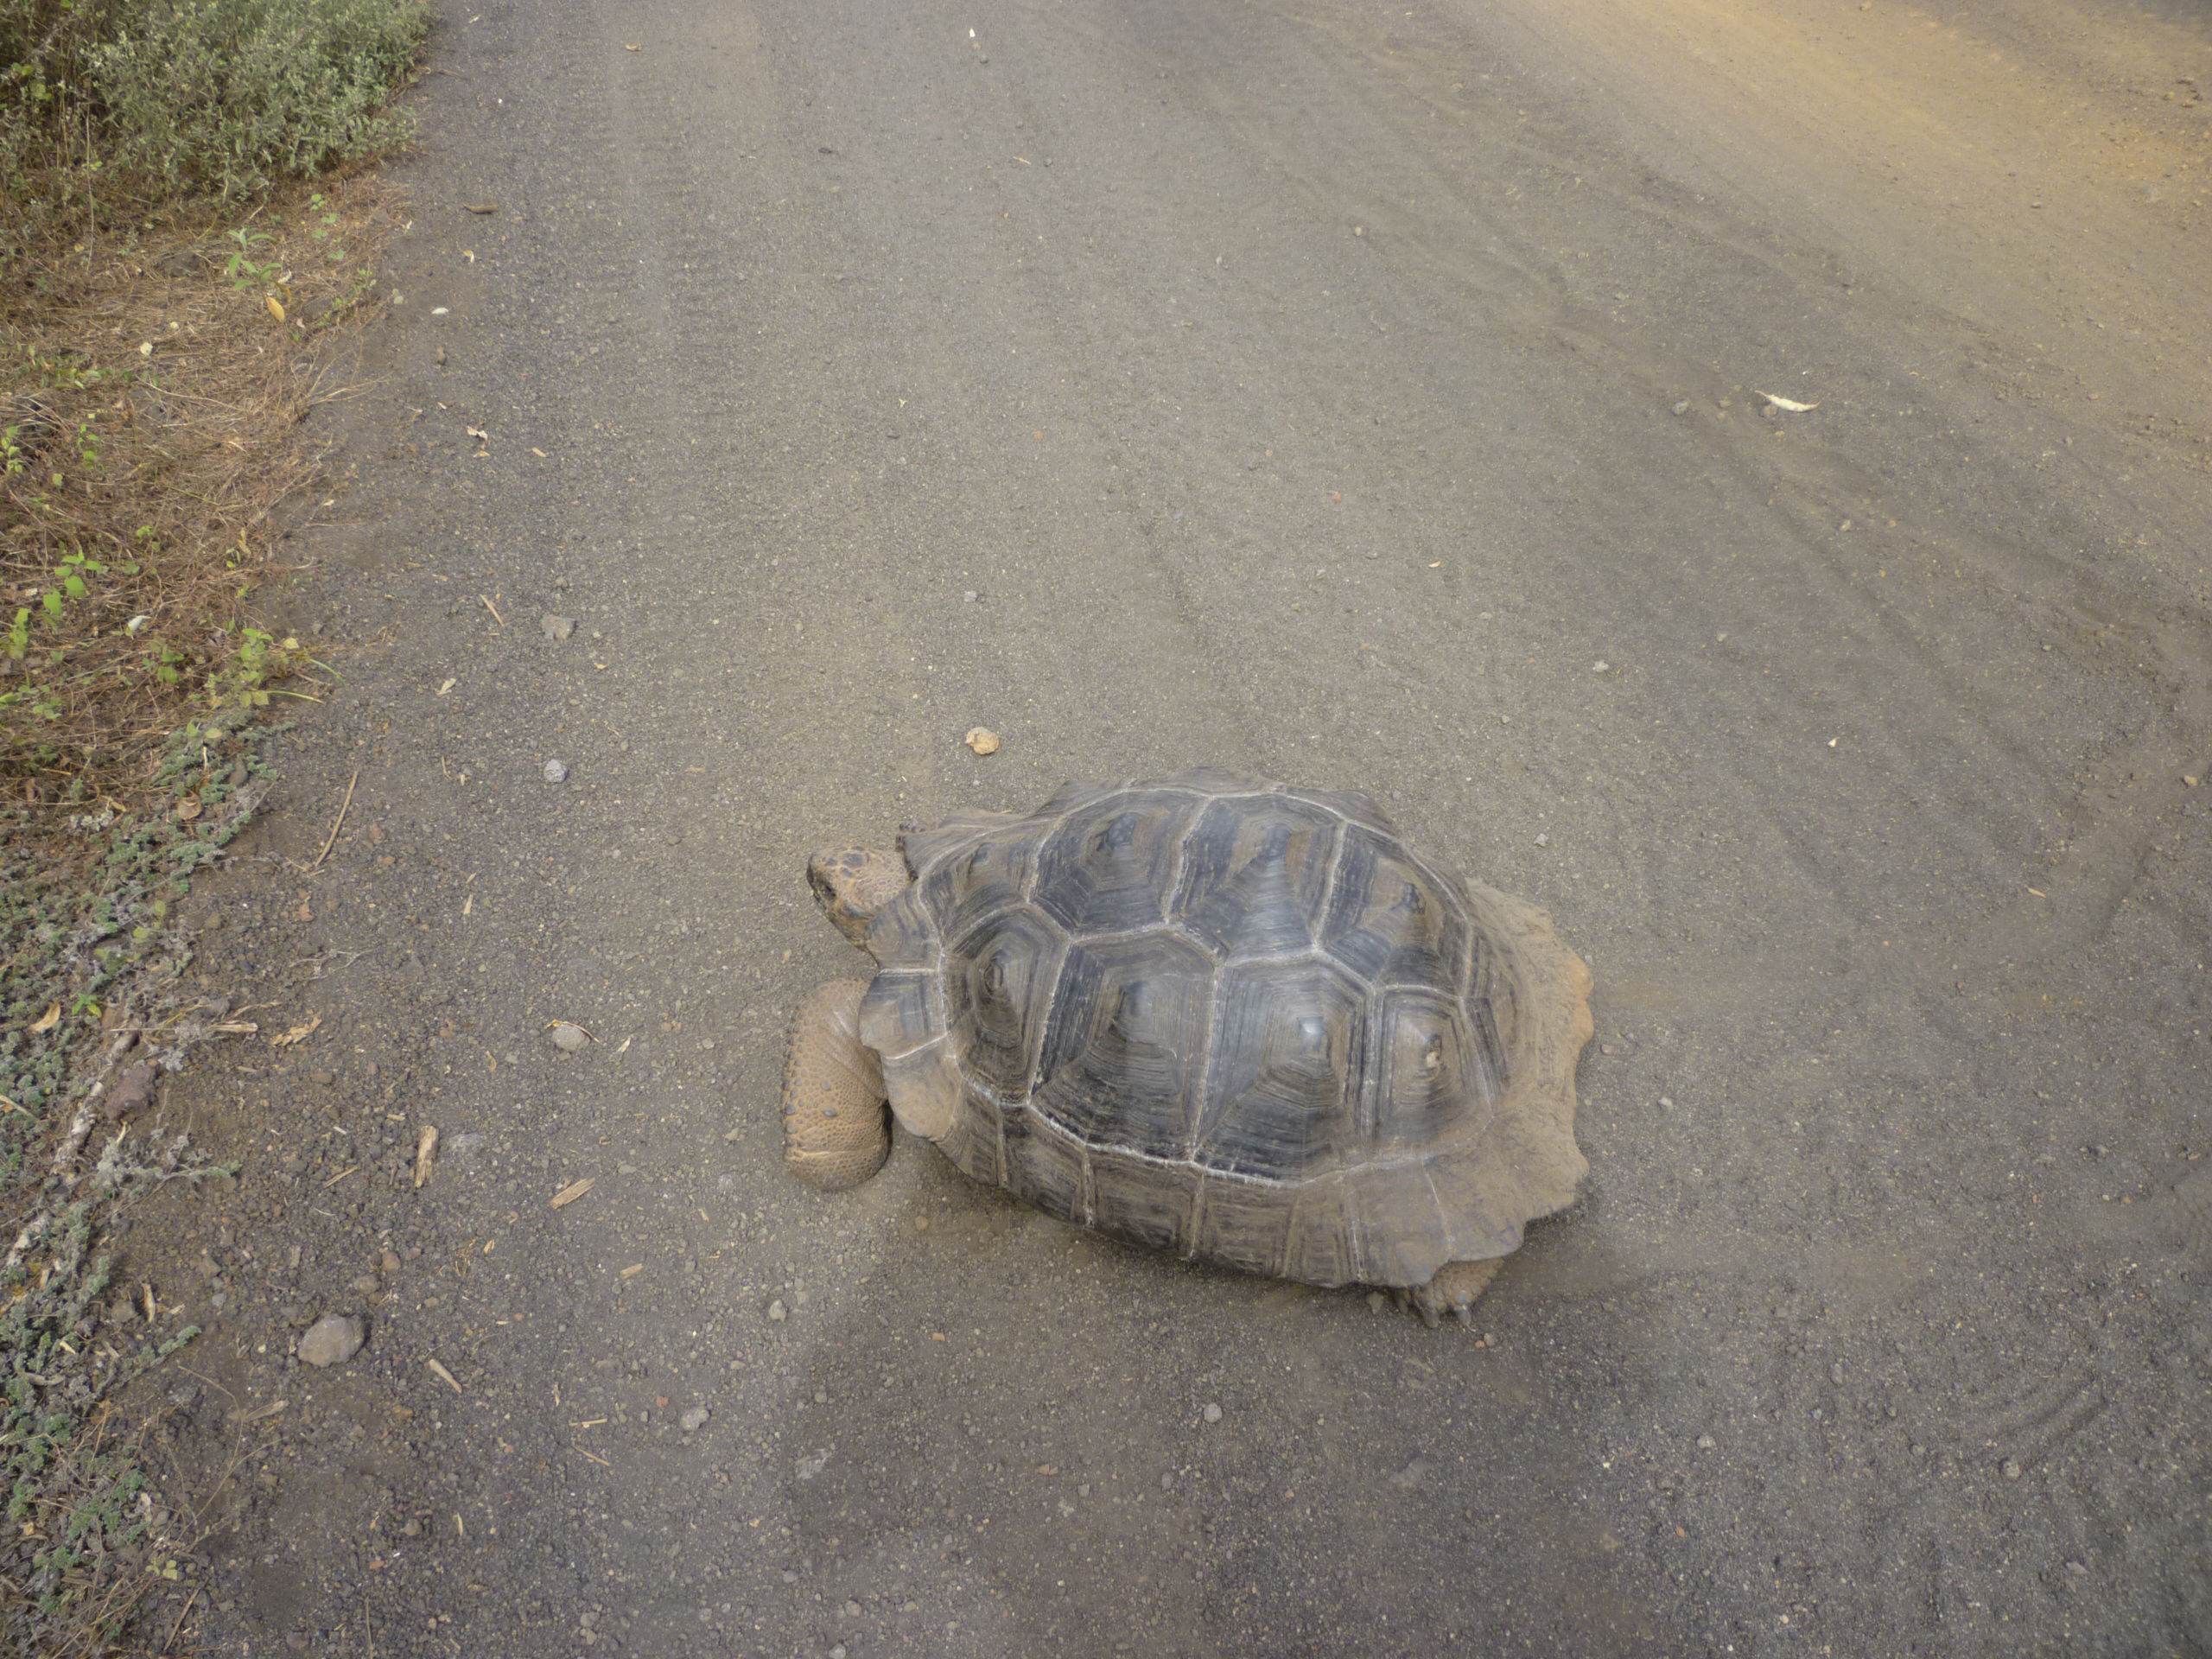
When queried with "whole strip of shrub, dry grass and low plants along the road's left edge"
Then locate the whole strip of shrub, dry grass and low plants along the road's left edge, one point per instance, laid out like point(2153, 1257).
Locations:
point(187, 244)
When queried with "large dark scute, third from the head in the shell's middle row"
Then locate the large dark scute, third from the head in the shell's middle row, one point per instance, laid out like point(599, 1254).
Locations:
point(1284, 1085)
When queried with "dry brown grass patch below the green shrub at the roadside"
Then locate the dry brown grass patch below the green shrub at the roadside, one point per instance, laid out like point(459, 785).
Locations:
point(154, 390)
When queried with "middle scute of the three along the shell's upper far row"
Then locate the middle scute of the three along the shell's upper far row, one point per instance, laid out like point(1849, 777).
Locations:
point(1258, 875)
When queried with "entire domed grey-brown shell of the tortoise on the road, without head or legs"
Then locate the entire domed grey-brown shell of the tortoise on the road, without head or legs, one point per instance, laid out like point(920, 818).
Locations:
point(1238, 1021)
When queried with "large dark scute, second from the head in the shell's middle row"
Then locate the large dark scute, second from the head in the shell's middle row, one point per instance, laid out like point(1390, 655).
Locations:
point(1127, 1050)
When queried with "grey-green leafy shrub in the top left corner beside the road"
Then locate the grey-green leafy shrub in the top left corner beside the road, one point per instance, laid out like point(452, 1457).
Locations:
point(200, 94)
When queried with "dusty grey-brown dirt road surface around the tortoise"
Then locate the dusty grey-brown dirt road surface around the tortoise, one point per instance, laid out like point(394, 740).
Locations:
point(1355, 395)
